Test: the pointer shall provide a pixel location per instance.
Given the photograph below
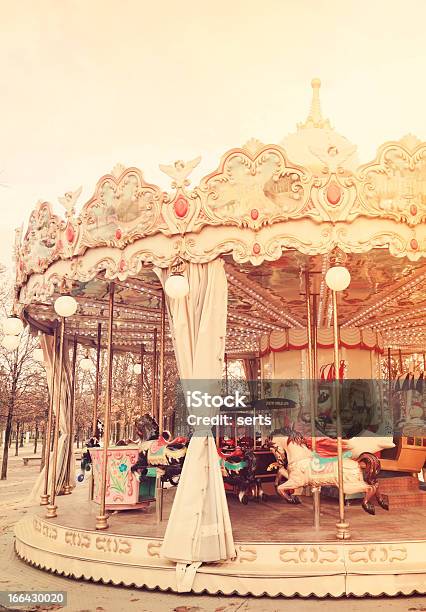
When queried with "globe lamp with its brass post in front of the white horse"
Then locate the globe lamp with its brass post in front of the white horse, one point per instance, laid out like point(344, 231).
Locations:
point(337, 279)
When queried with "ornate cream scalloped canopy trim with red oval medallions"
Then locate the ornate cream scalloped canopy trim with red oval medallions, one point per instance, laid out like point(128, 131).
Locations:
point(255, 205)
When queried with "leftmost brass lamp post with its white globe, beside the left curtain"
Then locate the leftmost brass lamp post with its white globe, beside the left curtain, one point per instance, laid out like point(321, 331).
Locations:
point(65, 306)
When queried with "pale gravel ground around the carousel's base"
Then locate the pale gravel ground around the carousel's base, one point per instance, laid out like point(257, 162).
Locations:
point(90, 597)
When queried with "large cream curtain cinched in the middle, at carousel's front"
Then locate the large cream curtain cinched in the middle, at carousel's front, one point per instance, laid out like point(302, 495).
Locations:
point(199, 528)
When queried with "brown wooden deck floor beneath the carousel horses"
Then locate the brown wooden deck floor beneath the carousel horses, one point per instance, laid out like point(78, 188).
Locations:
point(271, 521)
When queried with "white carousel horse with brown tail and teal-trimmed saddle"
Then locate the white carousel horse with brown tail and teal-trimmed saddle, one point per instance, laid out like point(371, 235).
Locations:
point(307, 467)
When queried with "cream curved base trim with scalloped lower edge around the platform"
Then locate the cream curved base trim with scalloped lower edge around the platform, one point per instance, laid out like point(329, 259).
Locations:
point(275, 569)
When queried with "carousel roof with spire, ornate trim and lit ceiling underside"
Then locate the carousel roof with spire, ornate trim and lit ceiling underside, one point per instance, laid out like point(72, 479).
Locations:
point(272, 212)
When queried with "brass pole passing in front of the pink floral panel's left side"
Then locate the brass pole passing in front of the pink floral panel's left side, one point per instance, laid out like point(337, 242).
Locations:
point(102, 518)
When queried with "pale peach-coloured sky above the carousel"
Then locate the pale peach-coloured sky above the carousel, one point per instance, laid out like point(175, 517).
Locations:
point(89, 83)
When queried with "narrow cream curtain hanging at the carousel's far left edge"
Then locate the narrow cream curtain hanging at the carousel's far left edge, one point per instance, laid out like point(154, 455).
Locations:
point(47, 344)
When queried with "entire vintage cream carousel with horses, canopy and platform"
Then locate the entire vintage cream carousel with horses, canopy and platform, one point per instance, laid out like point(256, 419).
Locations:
point(308, 270)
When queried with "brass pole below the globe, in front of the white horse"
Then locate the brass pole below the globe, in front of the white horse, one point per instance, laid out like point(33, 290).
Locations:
point(342, 526)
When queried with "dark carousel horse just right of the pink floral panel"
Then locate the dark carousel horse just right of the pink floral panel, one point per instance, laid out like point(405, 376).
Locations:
point(159, 451)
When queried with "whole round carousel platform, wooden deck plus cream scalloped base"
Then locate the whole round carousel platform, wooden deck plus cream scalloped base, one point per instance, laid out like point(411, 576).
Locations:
point(278, 550)
